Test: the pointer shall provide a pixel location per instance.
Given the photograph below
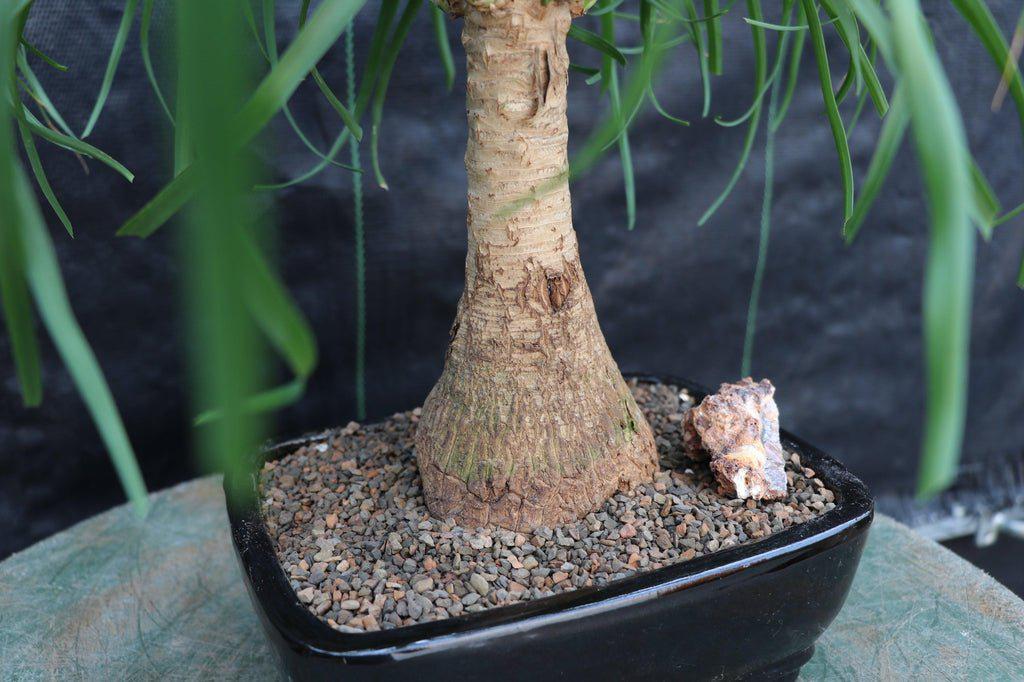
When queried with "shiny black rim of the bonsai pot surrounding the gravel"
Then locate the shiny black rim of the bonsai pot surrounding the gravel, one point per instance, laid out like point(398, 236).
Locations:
point(305, 632)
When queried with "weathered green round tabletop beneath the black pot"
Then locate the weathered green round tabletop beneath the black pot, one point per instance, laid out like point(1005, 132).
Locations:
point(118, 599)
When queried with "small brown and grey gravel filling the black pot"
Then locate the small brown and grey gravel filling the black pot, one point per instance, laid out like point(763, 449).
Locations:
point(363, 553)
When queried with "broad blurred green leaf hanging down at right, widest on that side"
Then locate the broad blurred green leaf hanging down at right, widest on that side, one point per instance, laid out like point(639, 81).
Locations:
point(946, 170)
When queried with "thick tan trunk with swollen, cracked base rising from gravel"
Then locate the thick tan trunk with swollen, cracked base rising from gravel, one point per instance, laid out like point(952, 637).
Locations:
point(531, 422)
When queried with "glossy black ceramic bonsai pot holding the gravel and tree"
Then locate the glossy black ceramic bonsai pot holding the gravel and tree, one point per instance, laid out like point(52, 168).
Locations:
point(752, 612)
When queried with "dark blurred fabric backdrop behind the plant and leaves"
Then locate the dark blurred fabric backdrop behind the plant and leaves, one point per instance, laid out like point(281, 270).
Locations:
point(839, 331)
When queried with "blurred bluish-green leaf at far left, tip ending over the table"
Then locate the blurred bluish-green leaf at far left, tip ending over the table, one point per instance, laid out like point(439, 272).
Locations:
point(52, 301)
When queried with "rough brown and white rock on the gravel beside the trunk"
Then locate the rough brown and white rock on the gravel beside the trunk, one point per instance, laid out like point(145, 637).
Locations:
point(738, 430)
